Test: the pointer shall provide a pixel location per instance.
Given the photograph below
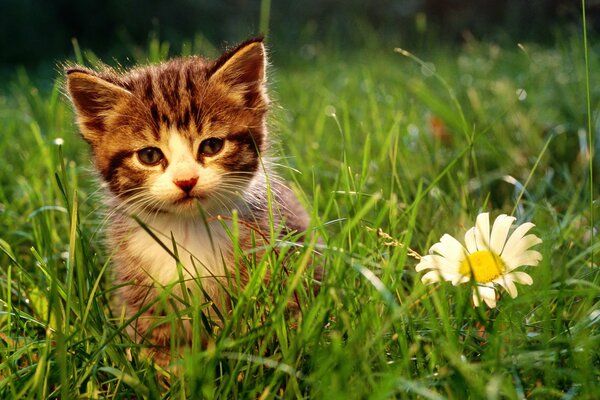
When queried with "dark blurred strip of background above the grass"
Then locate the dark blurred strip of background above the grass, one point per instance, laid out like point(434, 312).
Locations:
point(38, 33)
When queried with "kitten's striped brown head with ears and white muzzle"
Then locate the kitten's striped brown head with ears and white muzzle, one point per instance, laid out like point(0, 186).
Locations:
point(171, 136)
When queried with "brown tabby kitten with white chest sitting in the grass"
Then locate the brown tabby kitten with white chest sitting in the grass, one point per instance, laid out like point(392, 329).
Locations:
point(169, 140)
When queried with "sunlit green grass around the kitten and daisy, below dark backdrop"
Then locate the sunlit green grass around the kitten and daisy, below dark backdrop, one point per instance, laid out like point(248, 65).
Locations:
point(355, 131)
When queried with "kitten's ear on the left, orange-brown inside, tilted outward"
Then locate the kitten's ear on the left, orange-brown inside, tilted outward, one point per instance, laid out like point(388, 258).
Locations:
point(93, 98)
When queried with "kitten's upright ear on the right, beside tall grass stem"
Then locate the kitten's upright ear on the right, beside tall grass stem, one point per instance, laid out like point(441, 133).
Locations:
point(244, 65)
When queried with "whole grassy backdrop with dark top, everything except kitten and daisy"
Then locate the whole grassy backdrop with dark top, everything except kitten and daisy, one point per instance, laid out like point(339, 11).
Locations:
point(370, 139)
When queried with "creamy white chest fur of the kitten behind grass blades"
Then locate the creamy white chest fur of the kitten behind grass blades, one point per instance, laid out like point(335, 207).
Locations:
point(201, 247)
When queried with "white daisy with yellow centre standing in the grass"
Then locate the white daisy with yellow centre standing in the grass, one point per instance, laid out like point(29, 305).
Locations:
point(489, 258)
